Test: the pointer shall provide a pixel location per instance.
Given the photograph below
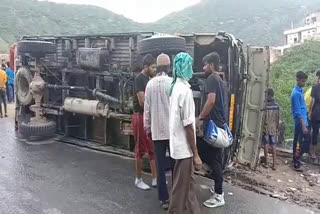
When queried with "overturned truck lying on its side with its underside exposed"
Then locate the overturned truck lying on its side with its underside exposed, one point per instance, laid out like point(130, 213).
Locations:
point(82, 86)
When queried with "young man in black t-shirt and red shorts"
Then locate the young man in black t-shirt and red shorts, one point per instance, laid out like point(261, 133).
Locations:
point(143, 142)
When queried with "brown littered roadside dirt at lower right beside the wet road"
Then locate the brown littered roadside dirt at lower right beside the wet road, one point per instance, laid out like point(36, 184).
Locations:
point(286, 184)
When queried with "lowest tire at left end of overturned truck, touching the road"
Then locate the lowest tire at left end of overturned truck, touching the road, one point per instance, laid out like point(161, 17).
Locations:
point(41, 129)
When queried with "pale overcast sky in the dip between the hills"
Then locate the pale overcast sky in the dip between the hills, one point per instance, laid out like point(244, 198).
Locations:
point(138, 10)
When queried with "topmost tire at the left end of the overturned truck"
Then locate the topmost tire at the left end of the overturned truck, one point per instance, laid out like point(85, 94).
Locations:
point(36, 48)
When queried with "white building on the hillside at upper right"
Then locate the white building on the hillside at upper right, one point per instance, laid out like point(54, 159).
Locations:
point(310, 30)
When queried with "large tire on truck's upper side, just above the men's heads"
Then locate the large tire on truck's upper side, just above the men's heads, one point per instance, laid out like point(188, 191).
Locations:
point(158, 45)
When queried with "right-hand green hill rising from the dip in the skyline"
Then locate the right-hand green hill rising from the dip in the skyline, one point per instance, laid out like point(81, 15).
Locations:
point(256, 22)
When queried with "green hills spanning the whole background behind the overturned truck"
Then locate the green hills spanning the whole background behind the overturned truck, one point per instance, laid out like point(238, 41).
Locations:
point(256, 22)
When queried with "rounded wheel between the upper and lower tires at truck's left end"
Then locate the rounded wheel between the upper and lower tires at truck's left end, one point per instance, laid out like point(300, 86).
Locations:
point(23, 80)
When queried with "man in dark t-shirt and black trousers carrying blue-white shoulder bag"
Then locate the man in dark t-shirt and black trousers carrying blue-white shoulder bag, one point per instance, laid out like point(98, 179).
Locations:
point(213, 110)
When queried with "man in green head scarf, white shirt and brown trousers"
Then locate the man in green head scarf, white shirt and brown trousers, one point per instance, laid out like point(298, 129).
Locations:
point(183, 139)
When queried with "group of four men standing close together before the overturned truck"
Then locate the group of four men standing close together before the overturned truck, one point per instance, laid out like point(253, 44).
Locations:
point(164, 120)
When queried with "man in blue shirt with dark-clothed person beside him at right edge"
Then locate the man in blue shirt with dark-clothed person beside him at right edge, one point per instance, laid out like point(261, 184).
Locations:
point(306, 121)
